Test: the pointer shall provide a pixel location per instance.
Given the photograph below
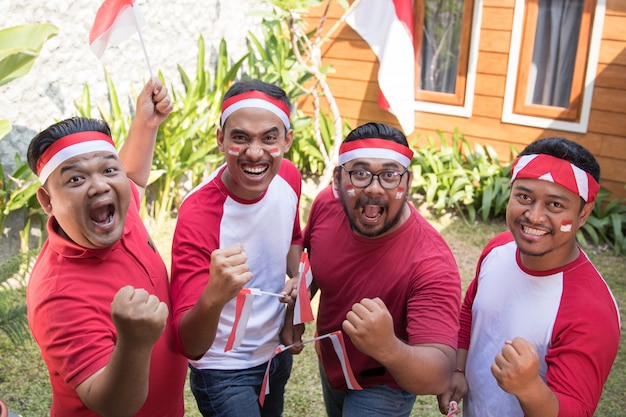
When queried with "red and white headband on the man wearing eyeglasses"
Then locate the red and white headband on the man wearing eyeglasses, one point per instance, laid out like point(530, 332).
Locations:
point(375, 148)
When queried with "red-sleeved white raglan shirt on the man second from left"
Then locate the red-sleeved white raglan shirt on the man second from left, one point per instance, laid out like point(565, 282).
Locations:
point(212, 217)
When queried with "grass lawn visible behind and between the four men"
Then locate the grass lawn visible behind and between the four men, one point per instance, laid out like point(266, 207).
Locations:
point(24, 382)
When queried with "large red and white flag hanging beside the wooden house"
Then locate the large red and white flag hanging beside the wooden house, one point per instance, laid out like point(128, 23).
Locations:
point(387, 27)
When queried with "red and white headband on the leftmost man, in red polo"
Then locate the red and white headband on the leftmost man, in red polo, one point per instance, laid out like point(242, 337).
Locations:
point(70, 146)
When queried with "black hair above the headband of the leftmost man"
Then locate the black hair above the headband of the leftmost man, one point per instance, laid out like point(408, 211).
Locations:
point(47, 137)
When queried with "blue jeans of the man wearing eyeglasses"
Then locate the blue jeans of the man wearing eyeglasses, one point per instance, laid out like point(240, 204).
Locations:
point(377, 401)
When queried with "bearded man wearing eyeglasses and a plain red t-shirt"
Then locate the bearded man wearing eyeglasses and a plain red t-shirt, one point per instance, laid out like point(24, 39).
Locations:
point(387, 279)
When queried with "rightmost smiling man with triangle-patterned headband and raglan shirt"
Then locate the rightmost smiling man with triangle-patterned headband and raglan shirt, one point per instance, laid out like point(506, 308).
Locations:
point(539, 326)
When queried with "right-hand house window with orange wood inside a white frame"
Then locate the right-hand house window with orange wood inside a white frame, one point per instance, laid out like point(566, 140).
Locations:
point(552, 63)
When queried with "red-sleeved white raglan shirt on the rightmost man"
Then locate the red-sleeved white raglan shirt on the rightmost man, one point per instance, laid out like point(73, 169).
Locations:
point(569, 314)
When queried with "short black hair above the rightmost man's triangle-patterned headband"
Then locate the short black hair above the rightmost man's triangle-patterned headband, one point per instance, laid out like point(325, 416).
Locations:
point(567, 150)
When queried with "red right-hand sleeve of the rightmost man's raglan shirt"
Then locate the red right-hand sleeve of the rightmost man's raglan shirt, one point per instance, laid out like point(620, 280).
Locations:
point(584, 342)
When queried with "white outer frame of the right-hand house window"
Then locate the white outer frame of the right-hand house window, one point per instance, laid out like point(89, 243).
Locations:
point(508, 116)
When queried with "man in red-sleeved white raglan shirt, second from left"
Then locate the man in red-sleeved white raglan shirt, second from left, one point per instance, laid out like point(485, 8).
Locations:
point(240, 227)
